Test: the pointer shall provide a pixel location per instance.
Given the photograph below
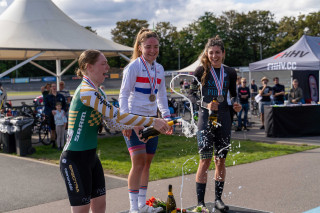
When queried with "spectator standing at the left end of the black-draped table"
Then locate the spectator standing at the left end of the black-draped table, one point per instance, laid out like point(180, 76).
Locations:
point(265, 91)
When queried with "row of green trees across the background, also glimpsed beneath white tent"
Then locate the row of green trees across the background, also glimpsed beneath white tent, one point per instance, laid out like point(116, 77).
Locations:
point(247, 38)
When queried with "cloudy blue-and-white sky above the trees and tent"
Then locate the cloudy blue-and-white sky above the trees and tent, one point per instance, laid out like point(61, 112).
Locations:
point(102, 15)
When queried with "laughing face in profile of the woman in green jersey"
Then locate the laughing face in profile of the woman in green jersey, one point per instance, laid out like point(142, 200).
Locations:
point(97, 71)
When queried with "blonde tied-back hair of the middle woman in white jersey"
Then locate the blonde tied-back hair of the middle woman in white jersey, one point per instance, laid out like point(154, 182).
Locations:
point(142, 36)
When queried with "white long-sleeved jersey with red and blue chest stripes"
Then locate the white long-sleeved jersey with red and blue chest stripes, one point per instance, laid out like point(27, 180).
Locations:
point(136, 90)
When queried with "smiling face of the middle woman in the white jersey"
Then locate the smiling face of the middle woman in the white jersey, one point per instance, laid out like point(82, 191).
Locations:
point(150, 49)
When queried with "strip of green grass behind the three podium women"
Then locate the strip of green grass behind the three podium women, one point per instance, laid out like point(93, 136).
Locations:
point(174, 152)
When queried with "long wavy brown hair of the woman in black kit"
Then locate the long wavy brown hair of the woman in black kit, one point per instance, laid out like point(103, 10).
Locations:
point(216, 41)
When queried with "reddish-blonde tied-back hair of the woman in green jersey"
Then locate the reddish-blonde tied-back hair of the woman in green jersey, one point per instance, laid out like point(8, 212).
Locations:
point(87, 57)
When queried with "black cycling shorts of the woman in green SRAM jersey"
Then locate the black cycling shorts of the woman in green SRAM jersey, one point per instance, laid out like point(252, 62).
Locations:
point(83, 174)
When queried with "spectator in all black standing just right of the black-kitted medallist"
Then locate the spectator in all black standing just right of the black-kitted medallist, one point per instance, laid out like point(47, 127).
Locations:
point(243, 95)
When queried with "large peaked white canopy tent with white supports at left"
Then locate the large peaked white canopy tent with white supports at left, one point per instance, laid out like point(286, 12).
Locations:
point(38, 29)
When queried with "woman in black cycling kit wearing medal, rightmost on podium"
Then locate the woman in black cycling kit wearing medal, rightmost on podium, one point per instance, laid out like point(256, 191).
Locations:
point(216, 81)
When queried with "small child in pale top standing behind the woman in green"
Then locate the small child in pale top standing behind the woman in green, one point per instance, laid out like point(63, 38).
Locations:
point(60, 121)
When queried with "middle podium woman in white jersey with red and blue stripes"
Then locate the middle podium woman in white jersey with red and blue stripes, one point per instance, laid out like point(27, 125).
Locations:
point(142, 92)
